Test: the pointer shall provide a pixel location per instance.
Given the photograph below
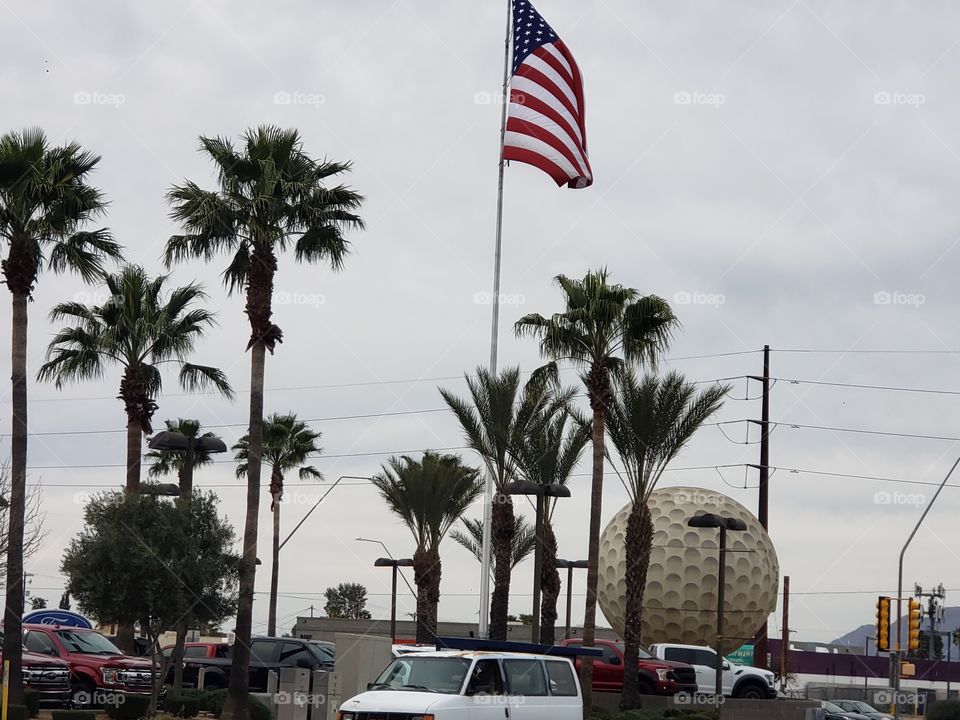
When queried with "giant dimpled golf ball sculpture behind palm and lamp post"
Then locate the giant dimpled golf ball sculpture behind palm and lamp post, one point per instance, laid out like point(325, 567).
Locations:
point(680, 600)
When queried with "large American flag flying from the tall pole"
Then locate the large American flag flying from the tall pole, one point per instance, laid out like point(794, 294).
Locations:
point(545, 118)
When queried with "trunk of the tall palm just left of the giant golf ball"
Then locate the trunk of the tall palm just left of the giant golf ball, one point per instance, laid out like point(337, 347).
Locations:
point(598, 387)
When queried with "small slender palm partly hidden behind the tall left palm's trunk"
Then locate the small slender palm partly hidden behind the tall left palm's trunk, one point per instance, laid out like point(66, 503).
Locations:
point(287, 443)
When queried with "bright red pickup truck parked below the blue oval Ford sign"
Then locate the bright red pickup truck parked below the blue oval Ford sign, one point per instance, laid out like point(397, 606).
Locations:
point(97, 668)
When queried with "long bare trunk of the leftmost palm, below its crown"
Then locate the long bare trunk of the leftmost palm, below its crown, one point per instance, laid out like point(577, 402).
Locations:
point(13, 610)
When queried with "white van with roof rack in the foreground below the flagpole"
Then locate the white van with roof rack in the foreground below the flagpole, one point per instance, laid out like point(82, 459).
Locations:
point(471, 685)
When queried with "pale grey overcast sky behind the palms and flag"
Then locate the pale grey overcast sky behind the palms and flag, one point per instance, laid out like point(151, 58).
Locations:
point(786, 173)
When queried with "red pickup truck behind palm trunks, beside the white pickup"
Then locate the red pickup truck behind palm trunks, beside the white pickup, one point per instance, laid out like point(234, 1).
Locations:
point(657, 677)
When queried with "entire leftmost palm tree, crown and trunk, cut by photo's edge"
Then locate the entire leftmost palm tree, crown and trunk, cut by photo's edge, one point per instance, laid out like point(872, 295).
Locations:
point(45, 202)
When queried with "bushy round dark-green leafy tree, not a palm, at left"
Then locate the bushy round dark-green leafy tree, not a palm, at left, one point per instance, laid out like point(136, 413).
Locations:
point(144, 559)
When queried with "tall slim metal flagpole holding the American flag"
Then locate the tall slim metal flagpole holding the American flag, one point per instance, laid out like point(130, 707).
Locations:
point(494, 333)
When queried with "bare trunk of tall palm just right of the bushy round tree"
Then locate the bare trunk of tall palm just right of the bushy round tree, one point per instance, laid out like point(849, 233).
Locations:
point(235, 707)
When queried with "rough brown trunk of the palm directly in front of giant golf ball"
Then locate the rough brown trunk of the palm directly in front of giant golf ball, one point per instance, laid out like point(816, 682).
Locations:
point(638, 546)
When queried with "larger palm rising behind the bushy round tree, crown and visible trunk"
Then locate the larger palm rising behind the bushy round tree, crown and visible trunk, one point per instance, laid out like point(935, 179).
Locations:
point(139, 328)
